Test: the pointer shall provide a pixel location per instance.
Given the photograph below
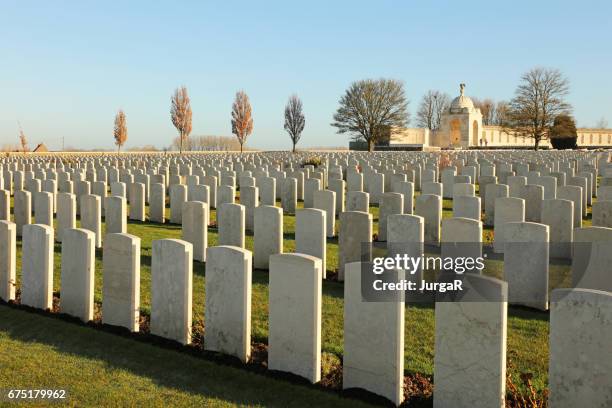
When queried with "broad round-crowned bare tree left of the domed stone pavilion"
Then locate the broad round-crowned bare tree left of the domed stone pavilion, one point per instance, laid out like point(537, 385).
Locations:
point(370, 107)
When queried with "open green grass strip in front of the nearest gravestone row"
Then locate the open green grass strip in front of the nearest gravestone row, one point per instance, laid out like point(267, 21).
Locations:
point(97, 368)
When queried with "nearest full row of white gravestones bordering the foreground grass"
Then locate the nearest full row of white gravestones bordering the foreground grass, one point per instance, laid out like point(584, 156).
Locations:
point(298, 350)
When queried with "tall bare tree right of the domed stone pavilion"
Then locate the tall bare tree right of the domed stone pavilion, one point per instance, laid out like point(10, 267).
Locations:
point(538, 99)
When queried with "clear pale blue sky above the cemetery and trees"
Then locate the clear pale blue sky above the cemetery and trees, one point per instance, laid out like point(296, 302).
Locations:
point(66, 67)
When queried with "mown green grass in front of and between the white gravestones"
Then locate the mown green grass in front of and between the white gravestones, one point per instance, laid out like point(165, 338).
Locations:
point(133, 372)
